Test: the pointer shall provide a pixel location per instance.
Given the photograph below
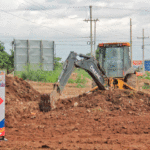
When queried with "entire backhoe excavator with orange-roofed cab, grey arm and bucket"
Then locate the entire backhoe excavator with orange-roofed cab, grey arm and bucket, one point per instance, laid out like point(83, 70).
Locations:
point(113, 70)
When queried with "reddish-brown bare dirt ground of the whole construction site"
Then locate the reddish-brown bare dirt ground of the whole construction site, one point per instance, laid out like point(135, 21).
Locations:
point(107, 120)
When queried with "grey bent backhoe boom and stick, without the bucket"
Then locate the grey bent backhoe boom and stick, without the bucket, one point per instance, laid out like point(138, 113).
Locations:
point(88, 63)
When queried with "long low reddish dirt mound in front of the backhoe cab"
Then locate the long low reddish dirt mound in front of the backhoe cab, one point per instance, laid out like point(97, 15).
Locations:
point(122, 100)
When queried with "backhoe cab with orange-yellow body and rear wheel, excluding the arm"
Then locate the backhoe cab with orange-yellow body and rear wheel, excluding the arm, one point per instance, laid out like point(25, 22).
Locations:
point(114, 58)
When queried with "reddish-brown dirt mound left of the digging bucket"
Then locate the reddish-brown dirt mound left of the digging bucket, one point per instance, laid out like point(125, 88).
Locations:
point(21, 99)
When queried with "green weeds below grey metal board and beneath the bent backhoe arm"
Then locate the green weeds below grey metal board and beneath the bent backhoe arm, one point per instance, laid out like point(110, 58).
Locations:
point(52, 76)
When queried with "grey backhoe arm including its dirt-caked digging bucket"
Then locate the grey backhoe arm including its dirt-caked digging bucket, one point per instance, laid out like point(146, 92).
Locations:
point(88, 63)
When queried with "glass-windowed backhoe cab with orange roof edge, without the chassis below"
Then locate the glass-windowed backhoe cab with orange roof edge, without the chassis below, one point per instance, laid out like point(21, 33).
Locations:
point(114, 58)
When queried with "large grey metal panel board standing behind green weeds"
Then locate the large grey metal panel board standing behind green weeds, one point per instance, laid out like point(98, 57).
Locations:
point(34, 52)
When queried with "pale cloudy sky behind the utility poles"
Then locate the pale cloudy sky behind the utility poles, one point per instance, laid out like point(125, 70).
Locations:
point(62, 21)
